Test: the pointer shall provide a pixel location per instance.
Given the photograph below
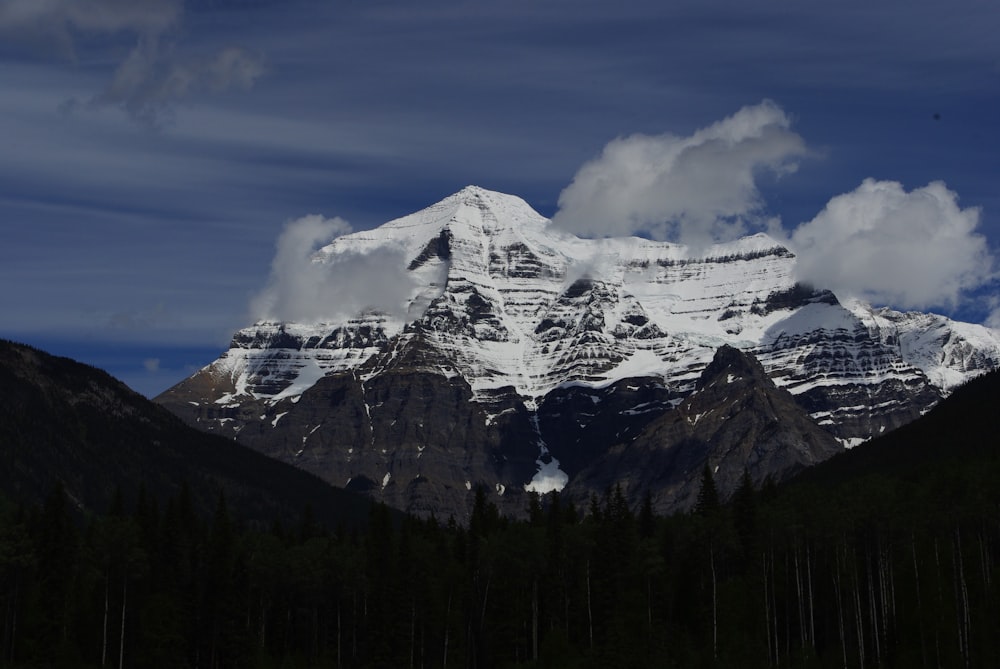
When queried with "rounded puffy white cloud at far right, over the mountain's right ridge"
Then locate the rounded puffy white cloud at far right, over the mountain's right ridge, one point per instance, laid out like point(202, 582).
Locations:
point(914, 249)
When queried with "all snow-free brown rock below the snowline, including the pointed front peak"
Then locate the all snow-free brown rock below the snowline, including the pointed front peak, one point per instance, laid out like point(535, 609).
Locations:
point(438, 443)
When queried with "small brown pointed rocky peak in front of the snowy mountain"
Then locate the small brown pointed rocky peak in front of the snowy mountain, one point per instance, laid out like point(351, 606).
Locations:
point(736, 420)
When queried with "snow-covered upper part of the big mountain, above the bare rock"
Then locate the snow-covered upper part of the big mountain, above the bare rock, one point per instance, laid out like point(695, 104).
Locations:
point(508, 300)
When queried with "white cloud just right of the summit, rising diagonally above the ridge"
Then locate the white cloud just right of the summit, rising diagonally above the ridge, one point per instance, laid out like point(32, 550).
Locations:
point(695, 190)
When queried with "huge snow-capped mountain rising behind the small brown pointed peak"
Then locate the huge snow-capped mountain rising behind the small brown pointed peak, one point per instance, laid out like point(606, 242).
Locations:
point(556, 348)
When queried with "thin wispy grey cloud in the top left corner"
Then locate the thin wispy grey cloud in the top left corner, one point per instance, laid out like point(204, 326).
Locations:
point(155, 74)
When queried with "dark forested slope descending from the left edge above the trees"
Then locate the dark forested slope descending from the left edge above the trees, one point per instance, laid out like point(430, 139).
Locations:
point(62, 422)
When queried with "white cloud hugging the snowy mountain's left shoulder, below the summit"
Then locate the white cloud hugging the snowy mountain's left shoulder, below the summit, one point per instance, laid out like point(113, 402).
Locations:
point(305, 288)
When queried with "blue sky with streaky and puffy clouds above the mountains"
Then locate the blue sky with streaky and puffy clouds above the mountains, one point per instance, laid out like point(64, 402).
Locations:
point(155, 149)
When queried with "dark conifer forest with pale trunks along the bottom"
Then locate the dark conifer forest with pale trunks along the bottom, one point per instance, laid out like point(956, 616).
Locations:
point(876, 572)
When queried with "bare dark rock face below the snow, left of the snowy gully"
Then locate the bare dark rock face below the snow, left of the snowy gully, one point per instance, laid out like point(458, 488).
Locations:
point(420, 426)
